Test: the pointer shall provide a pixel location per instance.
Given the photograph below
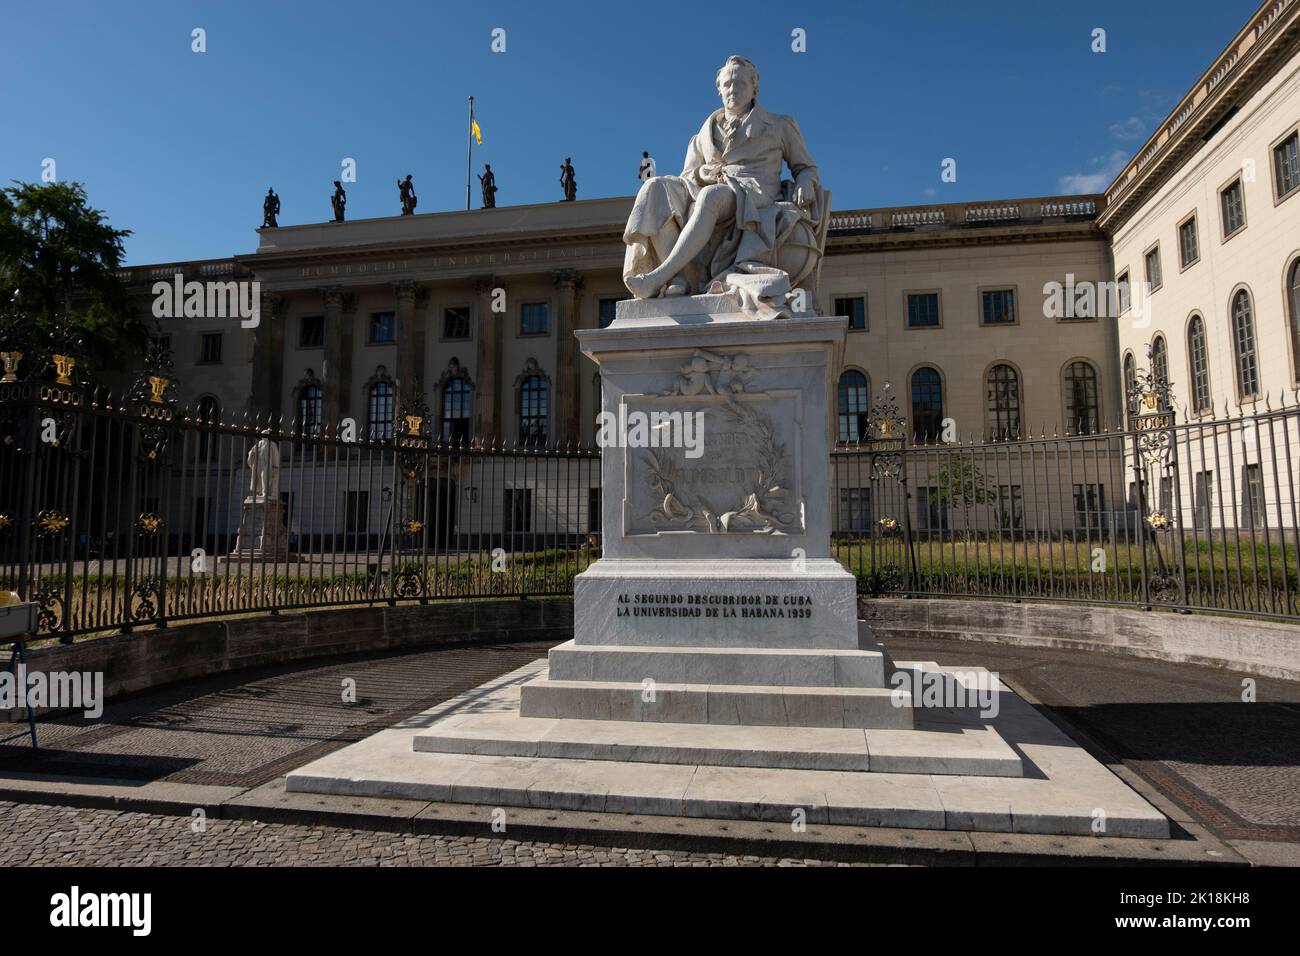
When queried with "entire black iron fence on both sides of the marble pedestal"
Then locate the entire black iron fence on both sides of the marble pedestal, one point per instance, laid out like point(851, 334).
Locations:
point(128, 512)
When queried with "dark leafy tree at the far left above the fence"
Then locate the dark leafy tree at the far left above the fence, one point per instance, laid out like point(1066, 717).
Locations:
point(59, 259)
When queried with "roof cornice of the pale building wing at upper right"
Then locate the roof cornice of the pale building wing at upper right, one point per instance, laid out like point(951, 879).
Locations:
point(1268, 41)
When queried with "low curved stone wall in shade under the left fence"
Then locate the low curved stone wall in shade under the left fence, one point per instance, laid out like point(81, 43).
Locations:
point(151, 659)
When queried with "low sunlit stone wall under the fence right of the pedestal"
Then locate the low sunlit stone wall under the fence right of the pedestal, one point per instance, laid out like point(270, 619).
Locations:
point(1251, 647)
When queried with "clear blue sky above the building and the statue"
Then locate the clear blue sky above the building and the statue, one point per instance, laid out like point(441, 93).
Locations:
point(180, 146)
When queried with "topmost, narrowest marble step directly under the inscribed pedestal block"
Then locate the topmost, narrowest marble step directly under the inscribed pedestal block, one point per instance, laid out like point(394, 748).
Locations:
point(764, 667)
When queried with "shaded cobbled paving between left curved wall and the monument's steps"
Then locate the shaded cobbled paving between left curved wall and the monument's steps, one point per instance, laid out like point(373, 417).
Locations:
point(241, 730)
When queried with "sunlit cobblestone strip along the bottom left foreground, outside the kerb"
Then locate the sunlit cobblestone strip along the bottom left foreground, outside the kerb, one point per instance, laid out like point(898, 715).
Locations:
point(33, 836)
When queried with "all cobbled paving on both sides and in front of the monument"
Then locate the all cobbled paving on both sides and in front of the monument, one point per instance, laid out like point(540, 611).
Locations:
point(1180, 733)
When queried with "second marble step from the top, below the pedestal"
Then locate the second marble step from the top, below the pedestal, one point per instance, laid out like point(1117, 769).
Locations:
point(718, 704)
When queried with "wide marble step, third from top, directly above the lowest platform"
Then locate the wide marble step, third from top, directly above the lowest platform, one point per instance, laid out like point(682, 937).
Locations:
point(937, 750)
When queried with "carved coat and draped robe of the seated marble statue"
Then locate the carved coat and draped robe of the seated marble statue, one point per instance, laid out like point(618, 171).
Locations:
point(748, 162)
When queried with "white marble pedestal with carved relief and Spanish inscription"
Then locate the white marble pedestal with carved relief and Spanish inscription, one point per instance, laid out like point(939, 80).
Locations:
point(716, 494)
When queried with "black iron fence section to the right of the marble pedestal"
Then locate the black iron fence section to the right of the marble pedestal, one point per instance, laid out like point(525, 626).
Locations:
point(1194, 516)
